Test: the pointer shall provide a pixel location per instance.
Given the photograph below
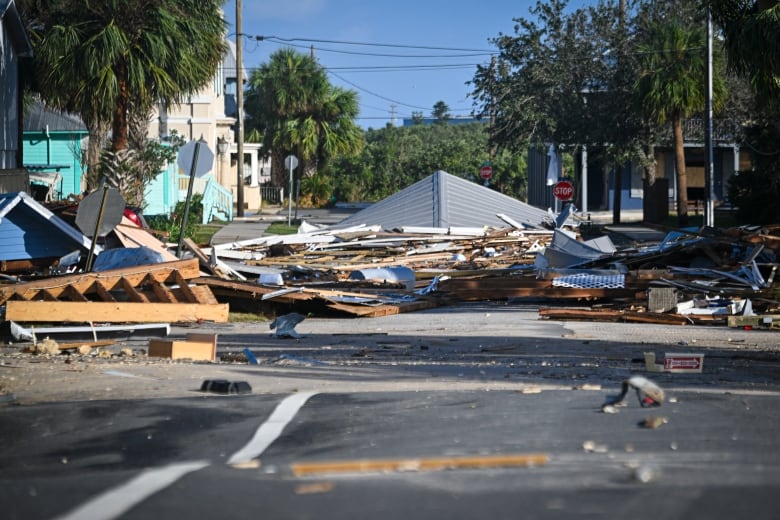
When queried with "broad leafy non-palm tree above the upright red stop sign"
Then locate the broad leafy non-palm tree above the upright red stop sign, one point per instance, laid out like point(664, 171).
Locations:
point(563, 77)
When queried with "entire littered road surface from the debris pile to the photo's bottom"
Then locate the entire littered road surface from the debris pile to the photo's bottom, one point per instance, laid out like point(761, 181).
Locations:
point(480, 411)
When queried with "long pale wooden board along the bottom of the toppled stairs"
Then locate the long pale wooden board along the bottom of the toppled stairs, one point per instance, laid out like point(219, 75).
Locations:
point(114, 312)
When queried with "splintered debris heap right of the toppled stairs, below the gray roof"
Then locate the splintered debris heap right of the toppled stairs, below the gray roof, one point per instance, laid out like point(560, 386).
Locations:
point(690, 276)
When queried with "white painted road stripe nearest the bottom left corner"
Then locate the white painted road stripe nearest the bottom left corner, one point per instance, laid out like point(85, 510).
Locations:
point(118, 500)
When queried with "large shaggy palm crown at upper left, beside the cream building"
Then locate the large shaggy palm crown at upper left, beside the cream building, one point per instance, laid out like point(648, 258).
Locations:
point(102, 58)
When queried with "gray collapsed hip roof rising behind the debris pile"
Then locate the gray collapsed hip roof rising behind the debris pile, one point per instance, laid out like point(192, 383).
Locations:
point(443, 200)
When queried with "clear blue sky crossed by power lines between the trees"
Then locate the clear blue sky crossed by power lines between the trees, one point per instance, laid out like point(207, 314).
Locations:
point(416, 83)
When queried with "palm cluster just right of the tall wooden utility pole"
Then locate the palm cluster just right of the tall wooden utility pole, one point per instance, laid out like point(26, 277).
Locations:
point(291, 103)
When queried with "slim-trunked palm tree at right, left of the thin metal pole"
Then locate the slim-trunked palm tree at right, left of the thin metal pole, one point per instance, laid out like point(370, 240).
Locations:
point(671, 87)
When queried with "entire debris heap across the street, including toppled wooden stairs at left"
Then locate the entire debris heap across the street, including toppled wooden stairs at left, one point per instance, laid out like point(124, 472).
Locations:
point(686, 276)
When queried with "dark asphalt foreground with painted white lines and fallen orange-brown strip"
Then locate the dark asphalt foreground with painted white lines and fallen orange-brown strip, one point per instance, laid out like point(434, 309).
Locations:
point(550, 455)
